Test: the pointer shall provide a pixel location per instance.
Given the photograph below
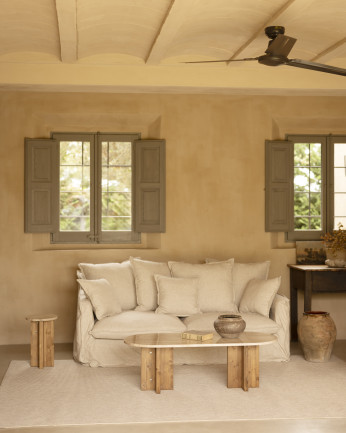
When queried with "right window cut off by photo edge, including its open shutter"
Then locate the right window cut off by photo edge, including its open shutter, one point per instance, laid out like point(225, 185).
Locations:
point(306, 185)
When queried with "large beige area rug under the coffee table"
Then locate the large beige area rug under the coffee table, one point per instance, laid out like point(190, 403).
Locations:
point(70, 394)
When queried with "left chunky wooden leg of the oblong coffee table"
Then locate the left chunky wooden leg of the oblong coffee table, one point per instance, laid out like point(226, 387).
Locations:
point(156, 369)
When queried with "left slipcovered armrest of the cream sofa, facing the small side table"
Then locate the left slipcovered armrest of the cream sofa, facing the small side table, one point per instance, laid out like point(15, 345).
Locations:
point(84, 324)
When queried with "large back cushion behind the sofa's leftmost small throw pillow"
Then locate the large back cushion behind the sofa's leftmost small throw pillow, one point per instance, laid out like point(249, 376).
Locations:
point(120, 277)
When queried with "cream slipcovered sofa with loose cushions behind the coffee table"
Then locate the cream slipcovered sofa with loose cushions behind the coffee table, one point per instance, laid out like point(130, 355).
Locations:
point(116, 300)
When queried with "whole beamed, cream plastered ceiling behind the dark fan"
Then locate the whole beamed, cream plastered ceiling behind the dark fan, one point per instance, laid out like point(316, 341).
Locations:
point(140, 45)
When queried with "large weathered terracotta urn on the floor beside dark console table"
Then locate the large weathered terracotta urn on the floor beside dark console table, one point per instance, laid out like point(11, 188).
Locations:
point(316, 333)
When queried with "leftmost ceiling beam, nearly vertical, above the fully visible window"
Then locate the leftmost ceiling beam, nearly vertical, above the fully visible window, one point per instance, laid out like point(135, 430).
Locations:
point(67, 22)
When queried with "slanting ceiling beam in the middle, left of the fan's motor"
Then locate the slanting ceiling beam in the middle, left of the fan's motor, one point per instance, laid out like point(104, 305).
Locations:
point(171, 24)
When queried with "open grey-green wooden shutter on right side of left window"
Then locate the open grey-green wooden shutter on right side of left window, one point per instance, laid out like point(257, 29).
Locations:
point(150, 185)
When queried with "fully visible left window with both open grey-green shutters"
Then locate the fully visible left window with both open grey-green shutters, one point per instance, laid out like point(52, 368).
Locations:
point(94, 187)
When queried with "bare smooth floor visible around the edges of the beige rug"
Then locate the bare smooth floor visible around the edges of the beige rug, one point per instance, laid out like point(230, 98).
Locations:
point(64, 351)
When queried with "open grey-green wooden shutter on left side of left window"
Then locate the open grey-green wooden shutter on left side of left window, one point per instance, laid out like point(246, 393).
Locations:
point(41, 185)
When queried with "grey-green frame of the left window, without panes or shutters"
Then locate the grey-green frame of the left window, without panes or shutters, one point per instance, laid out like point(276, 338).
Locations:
point(95, 235)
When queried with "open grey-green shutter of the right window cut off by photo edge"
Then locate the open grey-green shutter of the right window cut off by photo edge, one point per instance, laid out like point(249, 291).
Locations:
point(279, 186)
